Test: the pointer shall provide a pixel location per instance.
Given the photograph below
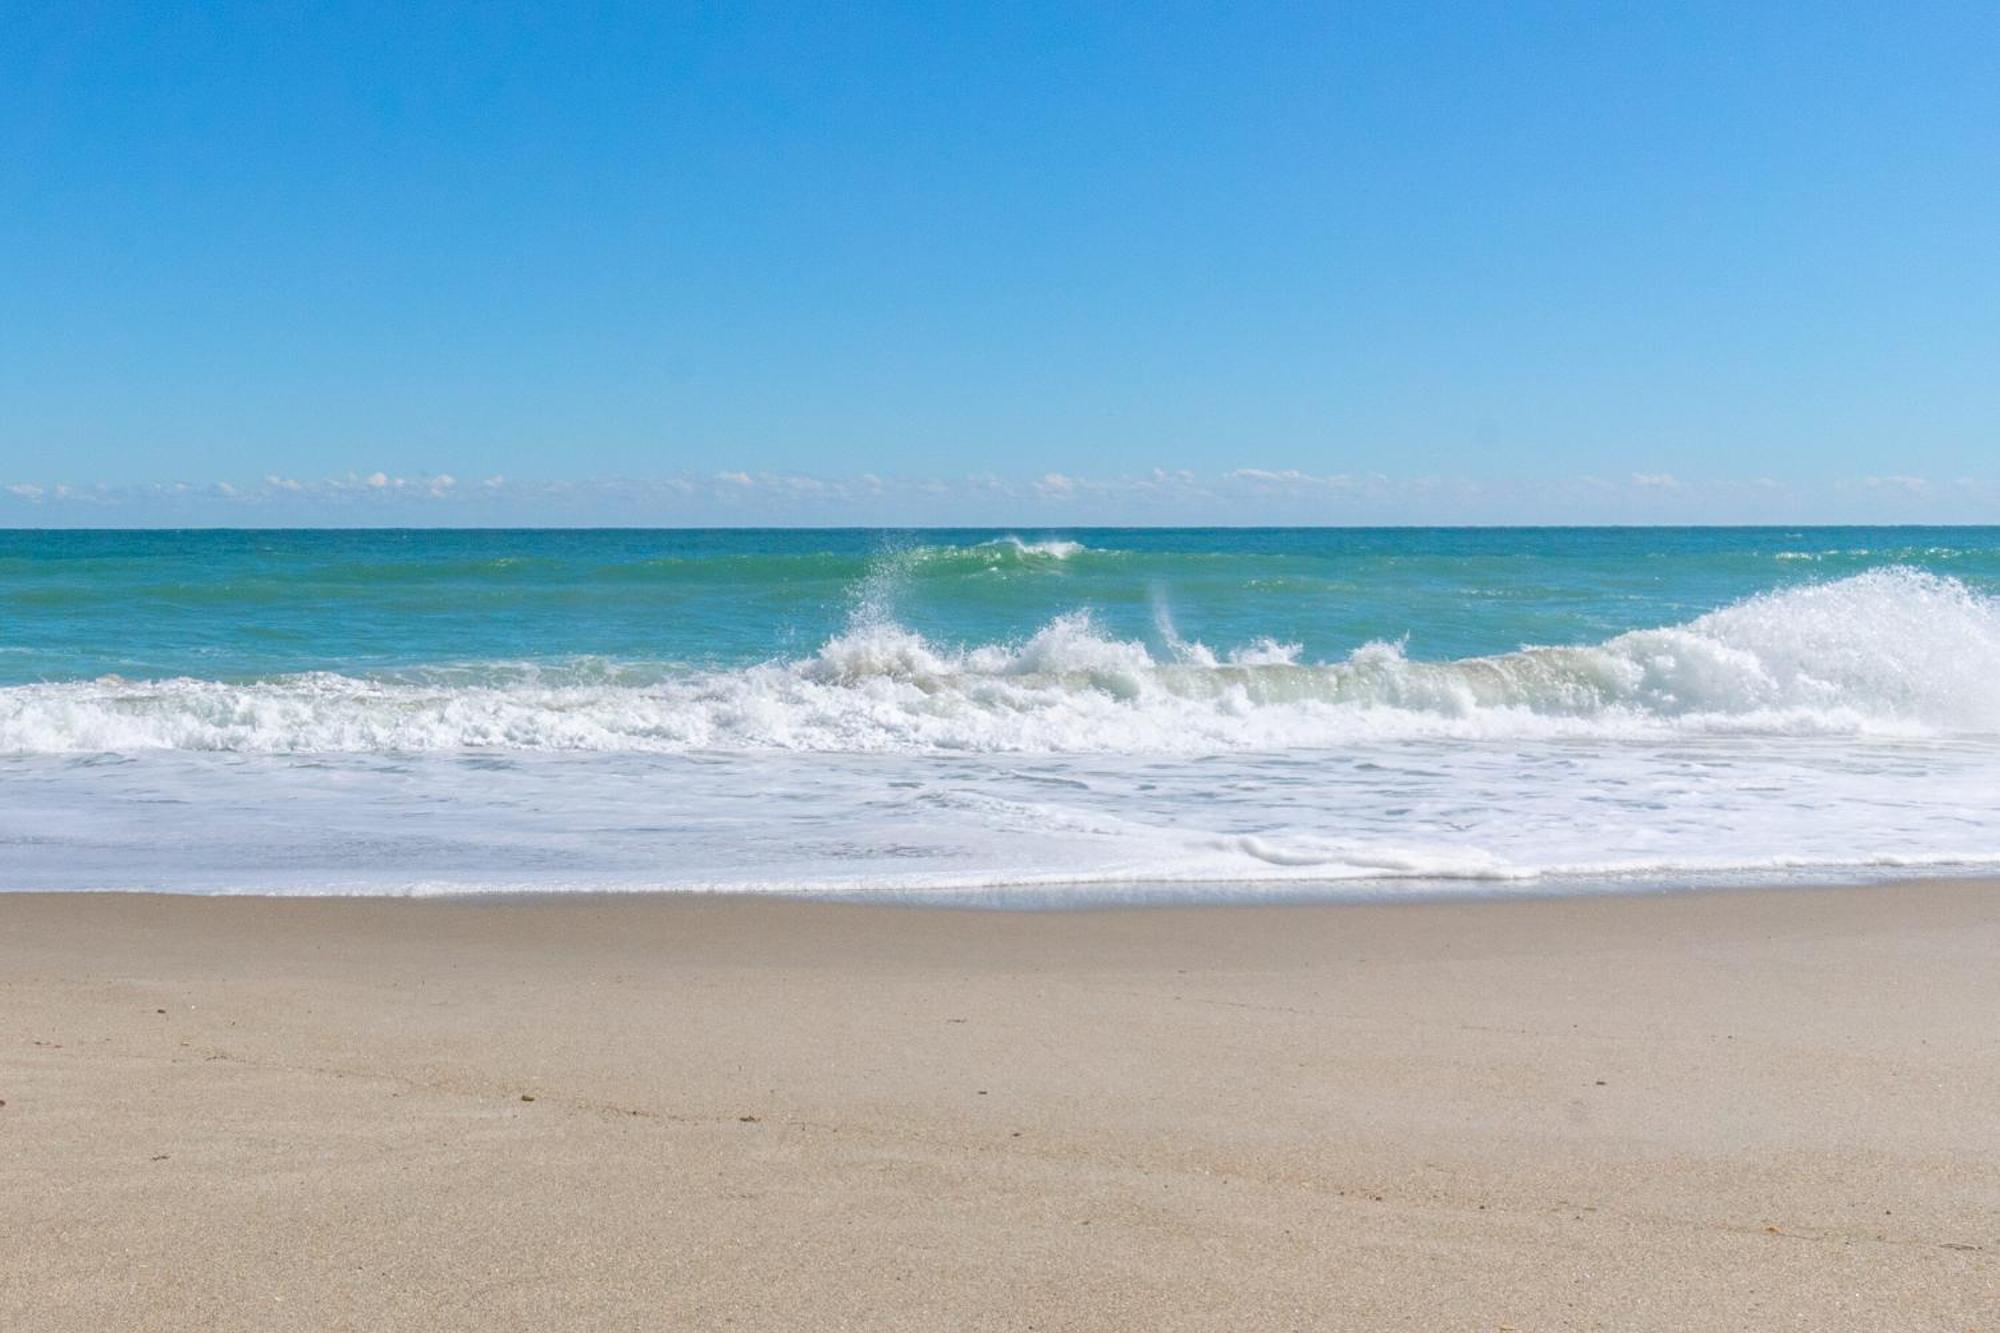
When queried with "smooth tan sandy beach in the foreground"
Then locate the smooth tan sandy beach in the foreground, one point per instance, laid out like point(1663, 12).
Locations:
point(1655, 1112)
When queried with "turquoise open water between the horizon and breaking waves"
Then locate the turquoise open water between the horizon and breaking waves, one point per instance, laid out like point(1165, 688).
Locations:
point(243, 605)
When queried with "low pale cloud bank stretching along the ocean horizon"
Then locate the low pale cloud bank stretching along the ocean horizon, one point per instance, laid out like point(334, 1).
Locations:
point(735, 497)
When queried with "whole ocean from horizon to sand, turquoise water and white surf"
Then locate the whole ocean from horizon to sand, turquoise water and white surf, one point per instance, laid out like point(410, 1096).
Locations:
point(1017, 718)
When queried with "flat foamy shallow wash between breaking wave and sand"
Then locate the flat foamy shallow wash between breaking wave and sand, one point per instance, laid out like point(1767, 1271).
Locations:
point(1373, 820)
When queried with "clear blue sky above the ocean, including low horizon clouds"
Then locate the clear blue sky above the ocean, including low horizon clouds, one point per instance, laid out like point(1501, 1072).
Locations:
point(1235, 263)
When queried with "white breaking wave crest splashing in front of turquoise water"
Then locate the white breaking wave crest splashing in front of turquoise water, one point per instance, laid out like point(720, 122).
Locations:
point(1883, 653)
